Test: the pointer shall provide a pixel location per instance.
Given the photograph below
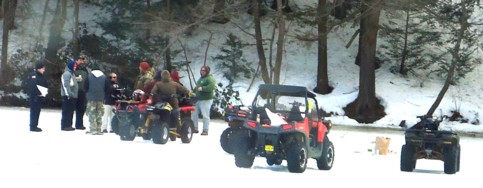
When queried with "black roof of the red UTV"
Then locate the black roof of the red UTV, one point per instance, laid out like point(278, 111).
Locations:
point(287, 90)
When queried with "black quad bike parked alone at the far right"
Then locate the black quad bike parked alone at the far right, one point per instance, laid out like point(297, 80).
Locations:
point(425, 141)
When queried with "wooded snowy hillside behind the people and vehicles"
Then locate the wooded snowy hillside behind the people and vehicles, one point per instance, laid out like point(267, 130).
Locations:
point(419, 38)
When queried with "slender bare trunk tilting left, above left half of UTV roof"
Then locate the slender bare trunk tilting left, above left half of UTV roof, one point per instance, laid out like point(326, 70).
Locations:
point(262, 61)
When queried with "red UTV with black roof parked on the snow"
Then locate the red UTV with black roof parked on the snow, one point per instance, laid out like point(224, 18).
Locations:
point(284, 124)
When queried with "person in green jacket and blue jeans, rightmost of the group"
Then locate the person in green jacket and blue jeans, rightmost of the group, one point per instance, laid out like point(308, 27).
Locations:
point(204, 92)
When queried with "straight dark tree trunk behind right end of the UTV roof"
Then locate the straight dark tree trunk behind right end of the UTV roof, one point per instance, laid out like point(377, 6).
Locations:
point(323, 86)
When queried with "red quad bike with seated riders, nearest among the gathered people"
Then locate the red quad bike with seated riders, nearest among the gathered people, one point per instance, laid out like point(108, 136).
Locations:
point(161, 127)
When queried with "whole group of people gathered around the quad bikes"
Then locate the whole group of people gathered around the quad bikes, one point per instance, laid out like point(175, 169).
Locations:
point(90, 92)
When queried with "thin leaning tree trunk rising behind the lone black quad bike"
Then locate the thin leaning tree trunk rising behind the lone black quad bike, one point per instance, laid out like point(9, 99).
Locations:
point(455, 59)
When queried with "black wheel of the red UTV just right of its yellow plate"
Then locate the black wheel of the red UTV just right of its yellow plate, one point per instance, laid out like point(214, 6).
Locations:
point(297, 157)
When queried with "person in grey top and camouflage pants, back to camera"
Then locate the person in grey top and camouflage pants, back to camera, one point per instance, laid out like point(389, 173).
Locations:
point(95, 87)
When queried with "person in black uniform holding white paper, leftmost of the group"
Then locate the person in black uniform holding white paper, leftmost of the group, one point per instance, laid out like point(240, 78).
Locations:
point(36, 97)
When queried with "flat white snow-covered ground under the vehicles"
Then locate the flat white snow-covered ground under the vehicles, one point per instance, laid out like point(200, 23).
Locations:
point(54, 158)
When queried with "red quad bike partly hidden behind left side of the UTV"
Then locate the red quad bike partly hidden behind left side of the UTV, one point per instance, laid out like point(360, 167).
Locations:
point(235, 116)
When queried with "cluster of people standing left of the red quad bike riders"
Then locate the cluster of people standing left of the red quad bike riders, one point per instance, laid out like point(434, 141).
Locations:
point(83, 92)
